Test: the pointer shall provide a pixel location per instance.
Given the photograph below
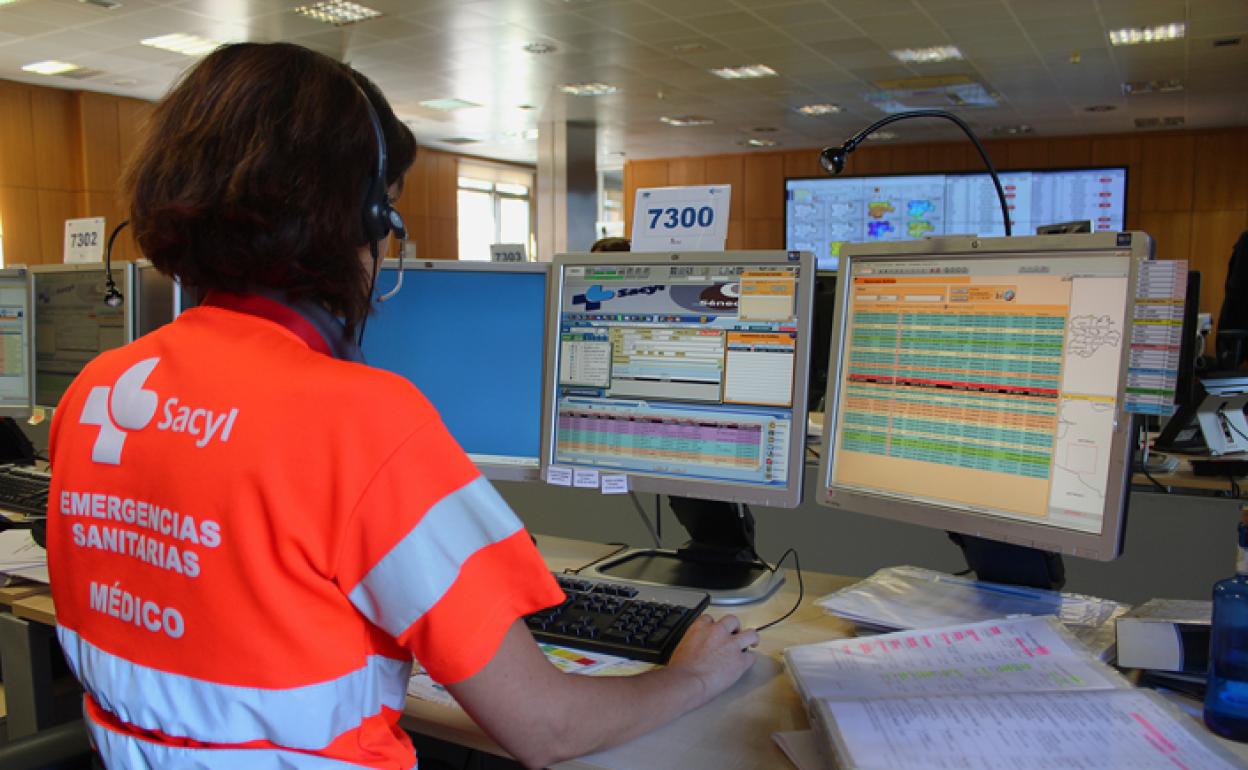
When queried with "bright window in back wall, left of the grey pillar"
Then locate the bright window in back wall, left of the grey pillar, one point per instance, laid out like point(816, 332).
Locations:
point(495, 208)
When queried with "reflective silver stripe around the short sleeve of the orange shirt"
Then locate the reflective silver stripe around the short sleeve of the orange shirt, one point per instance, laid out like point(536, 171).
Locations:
point(416, 573)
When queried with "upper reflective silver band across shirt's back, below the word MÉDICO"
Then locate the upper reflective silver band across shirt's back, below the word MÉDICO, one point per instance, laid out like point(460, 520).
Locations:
point(309, 717)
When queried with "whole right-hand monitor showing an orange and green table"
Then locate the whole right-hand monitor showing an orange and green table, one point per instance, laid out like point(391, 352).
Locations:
point(977, 386)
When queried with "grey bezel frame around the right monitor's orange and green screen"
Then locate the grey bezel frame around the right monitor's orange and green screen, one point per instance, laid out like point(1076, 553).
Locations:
point(1103, 546)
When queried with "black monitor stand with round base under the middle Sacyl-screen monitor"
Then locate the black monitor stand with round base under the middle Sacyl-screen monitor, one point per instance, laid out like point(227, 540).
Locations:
point(719, 557)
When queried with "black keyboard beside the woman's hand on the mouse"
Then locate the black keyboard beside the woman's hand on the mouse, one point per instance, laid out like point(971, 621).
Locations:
point(636, 622)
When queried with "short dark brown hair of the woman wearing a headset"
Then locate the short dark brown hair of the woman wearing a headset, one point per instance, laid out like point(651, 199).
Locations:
point(254, 174)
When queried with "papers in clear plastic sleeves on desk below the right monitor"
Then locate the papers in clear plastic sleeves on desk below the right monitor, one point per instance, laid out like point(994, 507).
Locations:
point(914, 598)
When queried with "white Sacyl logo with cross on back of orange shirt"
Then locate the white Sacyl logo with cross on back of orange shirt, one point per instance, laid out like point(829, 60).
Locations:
point(128, 406)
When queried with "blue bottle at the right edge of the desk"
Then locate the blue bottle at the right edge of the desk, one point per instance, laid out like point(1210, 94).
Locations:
point(1226, 701)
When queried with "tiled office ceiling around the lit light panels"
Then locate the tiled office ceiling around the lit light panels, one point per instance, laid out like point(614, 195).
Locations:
point(1043, 62)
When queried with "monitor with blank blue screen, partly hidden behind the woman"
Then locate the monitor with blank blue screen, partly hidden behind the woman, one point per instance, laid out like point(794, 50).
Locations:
point(471, 336)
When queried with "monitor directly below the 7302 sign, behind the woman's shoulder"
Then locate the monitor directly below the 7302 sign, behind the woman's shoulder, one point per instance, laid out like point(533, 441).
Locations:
point(72, 325)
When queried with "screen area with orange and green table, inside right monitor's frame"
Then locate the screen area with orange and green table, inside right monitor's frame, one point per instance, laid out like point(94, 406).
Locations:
point(985, 385)
